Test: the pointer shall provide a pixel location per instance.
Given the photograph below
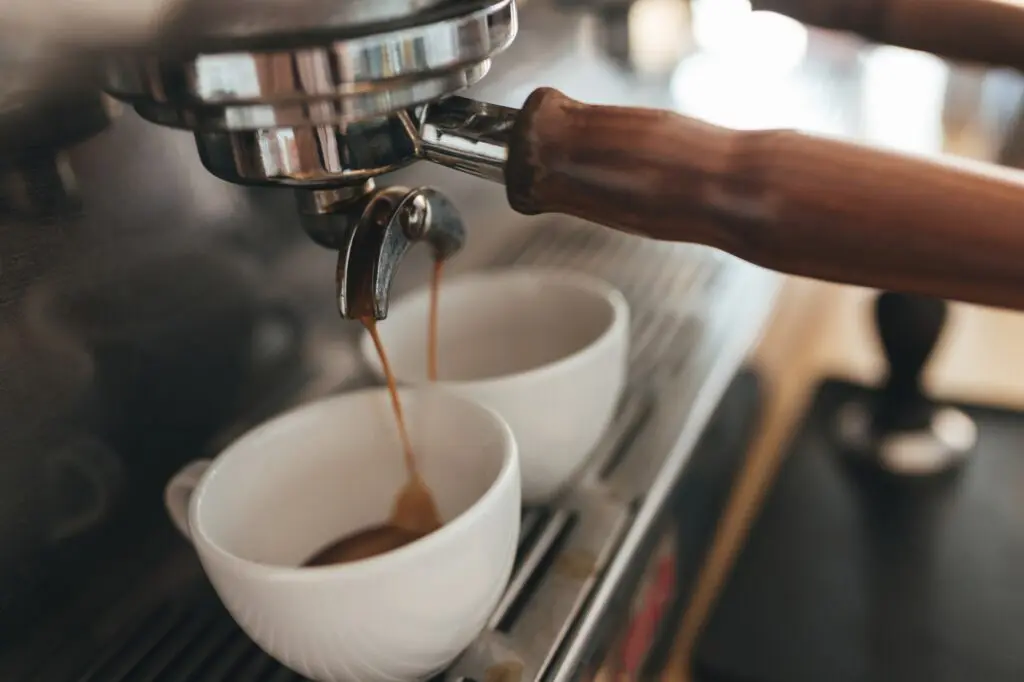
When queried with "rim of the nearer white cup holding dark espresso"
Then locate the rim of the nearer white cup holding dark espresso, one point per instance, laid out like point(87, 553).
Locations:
point(508, 474)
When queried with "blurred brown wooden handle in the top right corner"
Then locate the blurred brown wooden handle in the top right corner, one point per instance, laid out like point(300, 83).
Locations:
point(987, 31)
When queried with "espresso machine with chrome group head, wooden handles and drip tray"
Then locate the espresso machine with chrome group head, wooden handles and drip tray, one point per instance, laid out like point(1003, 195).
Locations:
point(193, 192)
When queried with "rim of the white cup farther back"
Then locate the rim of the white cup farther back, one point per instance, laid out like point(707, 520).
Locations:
point(581, 281)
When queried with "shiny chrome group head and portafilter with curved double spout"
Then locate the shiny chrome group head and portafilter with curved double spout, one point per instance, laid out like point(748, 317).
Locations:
point(325, 99)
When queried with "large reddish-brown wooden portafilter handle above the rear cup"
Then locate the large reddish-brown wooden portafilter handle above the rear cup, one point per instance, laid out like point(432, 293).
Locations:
point(785, 200)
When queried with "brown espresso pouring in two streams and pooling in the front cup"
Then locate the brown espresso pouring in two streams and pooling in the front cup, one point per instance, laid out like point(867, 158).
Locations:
point(415, 514)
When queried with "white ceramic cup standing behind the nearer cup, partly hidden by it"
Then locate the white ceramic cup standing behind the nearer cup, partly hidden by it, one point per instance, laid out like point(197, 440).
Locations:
point(545, 349)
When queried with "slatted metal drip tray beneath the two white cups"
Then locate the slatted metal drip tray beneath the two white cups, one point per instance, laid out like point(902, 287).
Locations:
point(571, 558)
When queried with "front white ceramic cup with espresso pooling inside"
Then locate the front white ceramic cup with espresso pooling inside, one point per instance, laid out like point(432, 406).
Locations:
point(331, 468)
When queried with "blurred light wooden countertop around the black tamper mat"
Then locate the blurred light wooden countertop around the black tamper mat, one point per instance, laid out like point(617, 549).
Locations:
point(822, 330)
